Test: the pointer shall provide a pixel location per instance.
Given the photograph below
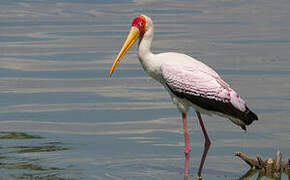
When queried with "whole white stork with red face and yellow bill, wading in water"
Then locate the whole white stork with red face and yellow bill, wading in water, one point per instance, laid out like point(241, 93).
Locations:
point(190, 83)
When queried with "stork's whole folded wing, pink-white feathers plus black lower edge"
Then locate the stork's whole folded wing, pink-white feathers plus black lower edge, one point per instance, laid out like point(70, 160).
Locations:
point(207, 91)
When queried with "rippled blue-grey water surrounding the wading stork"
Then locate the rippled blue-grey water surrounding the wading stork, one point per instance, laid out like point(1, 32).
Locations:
point(61, 117)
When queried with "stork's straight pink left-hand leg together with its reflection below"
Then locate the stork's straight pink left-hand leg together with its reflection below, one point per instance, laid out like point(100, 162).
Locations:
point(187, 145)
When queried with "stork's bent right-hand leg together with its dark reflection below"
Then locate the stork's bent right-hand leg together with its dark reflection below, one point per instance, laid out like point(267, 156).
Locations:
point(206, 144)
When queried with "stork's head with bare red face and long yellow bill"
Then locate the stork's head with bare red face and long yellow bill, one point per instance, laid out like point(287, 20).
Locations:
point(140, 25)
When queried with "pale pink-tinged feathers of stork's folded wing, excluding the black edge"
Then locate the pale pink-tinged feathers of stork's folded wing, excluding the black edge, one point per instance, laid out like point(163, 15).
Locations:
point(200, 81)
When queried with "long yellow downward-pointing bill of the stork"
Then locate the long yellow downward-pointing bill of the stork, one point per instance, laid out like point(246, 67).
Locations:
point(132, 37)
